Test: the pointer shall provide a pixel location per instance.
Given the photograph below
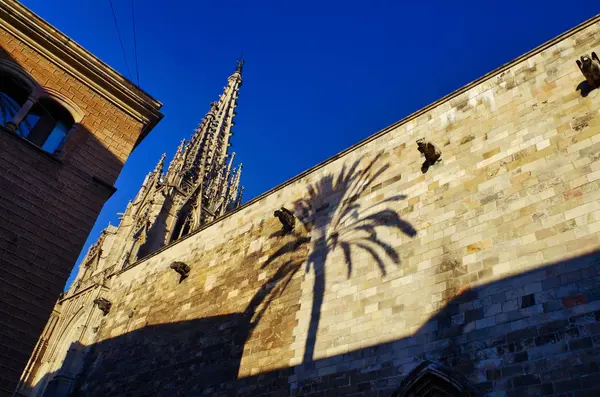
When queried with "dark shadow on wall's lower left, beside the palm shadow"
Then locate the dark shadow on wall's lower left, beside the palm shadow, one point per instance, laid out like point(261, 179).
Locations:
point(211, 346)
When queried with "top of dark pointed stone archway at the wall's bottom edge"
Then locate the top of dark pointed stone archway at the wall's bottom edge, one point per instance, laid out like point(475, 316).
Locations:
point(431, 379)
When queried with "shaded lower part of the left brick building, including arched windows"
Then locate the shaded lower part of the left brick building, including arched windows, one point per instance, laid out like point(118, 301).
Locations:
point(56, 176)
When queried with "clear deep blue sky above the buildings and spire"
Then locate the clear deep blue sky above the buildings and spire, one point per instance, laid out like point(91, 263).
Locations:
point(319, 75)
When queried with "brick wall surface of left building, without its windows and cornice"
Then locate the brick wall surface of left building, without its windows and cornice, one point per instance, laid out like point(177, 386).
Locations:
point(47, 207)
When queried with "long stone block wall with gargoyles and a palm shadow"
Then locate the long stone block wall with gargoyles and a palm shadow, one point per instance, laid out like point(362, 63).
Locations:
point(454, 253)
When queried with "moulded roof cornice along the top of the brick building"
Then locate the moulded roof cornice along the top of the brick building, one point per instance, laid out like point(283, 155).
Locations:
point(80, 63)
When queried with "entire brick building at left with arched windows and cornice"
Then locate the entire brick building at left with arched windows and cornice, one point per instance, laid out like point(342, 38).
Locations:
point(68, 122)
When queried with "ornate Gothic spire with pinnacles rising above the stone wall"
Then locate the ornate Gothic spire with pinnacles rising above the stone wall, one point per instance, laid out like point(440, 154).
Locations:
point(199, 185)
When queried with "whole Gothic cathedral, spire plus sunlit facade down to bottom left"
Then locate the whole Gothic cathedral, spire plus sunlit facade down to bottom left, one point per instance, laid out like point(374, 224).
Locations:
point(199, 185)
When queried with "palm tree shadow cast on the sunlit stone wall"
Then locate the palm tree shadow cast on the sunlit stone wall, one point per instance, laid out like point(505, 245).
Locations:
point(331, 211)
